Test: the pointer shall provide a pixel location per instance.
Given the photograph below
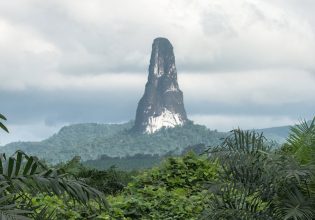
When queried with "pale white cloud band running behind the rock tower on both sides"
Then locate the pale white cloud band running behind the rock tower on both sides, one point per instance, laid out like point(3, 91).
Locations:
point(261, 87)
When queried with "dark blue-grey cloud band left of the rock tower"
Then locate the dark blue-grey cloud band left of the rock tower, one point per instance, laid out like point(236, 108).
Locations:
point(68, 107)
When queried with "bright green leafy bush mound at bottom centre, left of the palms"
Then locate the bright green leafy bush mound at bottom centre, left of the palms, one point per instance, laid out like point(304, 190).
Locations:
point(173, 191)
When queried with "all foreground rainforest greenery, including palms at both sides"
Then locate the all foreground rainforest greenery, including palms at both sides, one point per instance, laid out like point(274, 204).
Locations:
point(242, 178)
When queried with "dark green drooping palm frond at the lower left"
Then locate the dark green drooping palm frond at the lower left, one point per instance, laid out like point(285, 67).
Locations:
point(25, 173)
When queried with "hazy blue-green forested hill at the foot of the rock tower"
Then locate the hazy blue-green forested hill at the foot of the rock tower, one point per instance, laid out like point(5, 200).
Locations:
point(90, 141)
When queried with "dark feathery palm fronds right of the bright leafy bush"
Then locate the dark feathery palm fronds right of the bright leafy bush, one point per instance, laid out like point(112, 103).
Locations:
point(255, 183)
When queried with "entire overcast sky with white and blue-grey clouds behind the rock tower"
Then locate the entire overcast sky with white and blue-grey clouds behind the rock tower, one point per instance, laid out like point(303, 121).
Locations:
point(247, 63)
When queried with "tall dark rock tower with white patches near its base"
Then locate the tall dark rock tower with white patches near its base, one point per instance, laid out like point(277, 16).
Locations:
point(162, 103)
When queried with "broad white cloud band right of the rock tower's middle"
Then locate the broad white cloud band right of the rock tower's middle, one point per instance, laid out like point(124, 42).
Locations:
point(260, 87)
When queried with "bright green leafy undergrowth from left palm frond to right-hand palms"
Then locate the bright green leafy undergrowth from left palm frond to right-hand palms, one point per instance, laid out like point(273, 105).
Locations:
point(174, 190)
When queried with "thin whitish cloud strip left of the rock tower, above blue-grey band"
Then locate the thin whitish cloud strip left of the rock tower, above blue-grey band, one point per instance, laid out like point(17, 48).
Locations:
point(84, 83)
